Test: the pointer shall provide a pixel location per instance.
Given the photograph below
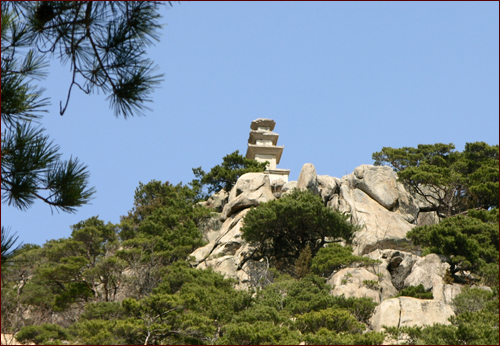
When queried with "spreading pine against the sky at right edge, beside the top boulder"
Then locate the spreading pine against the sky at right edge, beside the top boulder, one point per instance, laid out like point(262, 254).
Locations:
point(450, 181)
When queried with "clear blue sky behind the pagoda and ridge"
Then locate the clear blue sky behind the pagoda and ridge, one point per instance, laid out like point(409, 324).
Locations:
point(341, 80)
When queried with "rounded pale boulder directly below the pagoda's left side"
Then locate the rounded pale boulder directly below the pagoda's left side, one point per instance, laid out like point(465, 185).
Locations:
point(250, 190)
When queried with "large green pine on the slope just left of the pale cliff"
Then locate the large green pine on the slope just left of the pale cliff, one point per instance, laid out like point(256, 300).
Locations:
point(162, 228)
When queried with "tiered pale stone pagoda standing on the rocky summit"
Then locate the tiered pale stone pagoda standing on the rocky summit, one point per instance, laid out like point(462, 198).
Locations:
point(262, 147)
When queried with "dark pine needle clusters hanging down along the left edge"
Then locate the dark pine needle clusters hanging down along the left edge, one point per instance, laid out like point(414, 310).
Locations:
point(31, 165)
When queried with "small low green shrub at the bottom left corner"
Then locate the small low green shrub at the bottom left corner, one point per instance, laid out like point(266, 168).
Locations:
point(45, 334)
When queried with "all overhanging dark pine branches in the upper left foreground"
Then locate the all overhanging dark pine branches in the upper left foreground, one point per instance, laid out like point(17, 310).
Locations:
point(104, 44)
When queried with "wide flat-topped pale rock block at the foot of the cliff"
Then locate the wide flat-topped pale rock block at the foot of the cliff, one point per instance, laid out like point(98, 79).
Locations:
point(407, 311)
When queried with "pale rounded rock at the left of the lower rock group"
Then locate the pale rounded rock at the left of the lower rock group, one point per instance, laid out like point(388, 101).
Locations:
point(351, 282)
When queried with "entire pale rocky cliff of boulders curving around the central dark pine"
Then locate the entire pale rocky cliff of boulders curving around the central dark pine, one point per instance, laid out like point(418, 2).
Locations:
point(384, 209)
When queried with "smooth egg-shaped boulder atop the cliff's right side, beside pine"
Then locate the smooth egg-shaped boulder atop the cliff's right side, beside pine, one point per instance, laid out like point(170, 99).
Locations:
point(379, 182)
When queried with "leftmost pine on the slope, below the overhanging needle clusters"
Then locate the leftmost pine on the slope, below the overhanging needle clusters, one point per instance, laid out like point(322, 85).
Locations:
point(73, 270)
